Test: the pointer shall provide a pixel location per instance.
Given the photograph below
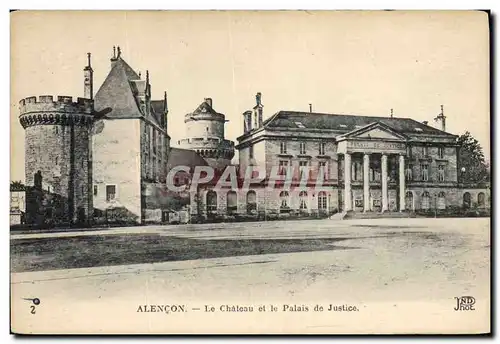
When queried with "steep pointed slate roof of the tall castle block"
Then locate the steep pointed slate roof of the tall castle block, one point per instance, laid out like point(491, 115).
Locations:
point(118, 93)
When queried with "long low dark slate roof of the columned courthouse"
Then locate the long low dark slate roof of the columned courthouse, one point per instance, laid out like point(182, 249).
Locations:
point(347, 123)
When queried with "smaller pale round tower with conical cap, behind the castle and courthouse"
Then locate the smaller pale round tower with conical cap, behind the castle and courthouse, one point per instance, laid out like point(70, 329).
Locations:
point(205, 135)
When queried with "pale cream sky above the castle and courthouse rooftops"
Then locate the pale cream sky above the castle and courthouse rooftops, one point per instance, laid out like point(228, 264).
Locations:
point(361, 63)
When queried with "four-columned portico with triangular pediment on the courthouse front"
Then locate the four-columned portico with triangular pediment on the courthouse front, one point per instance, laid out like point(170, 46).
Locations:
point(374, 164)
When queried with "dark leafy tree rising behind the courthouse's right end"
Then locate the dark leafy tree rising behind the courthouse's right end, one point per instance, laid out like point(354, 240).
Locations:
point(472, 164)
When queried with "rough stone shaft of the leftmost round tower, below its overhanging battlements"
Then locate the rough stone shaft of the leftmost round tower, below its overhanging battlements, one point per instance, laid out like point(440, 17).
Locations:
point(61, 154)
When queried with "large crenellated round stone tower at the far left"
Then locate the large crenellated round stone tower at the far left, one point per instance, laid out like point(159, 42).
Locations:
point(58, 159)
